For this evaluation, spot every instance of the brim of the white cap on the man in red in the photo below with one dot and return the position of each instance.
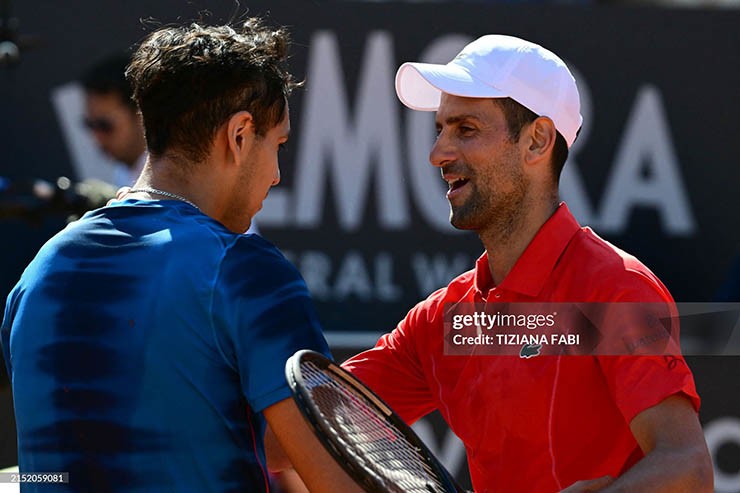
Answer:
(420, 85)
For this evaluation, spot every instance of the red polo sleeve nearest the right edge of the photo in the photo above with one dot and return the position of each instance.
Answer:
(640, 382)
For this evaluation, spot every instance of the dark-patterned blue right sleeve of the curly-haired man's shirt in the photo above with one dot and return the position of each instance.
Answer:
(263, 314)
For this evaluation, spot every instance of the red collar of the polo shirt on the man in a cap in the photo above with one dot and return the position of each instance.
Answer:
(534, 266)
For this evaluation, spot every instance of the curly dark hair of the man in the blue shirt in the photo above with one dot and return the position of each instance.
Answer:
(188, 81)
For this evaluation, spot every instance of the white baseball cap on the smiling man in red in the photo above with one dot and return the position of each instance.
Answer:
(497, 66)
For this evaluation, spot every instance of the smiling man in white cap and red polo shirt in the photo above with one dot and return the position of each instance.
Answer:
(507, 113)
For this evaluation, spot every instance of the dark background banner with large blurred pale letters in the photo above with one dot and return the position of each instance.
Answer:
(361, 212)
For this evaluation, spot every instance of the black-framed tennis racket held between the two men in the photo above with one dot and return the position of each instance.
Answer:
(371, 442)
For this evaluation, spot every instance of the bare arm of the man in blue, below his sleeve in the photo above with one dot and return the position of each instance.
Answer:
(317, 468)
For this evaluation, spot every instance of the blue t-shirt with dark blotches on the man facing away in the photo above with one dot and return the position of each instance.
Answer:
(143, 342)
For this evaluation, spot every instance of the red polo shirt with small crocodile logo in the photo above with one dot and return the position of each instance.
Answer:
(536, 424)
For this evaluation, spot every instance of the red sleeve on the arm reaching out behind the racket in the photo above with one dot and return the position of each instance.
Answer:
(393, 370)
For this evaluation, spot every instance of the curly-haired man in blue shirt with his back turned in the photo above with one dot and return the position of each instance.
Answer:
(146, 342)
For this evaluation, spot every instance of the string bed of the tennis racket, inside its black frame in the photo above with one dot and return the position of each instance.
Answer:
(365, 433)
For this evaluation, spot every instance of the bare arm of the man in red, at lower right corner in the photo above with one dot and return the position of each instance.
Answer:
(676, 455)
